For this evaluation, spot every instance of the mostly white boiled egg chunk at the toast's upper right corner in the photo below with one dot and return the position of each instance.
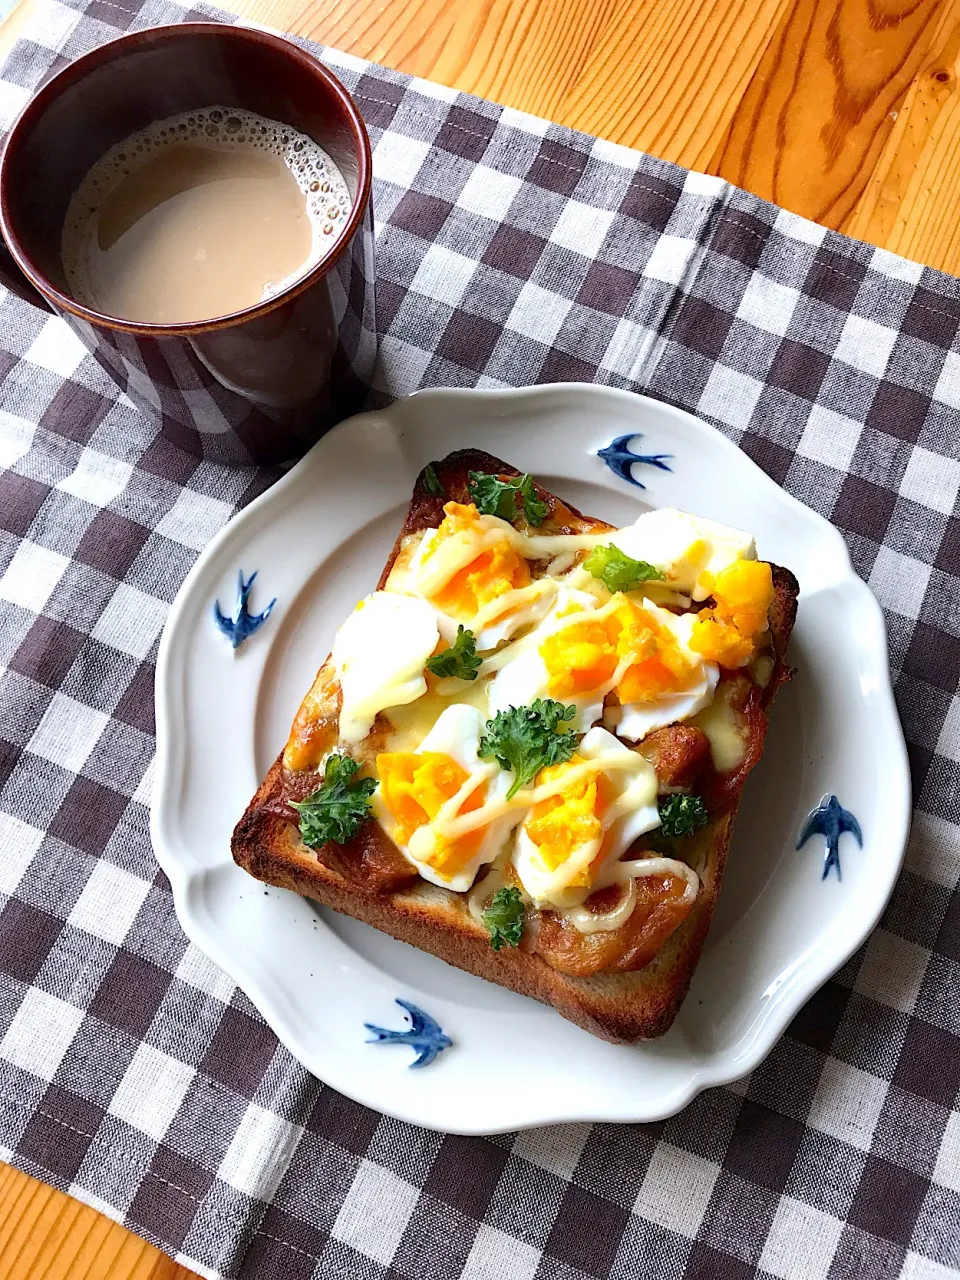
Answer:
(685, 548)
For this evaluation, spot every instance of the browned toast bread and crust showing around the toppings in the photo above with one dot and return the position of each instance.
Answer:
(616, 1007)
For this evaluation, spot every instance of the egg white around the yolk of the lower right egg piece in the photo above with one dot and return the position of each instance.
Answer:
(629, 816)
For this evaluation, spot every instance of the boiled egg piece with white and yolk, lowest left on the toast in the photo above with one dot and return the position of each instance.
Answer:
(423, 794)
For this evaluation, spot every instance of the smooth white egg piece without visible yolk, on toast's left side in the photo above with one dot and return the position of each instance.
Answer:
(380, 656)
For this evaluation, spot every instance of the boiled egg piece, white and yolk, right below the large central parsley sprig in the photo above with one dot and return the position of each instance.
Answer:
(587, 813)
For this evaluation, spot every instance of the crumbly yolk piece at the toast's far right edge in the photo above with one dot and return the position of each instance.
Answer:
(730, 632)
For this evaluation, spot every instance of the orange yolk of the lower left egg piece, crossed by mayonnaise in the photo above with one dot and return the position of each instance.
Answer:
(415, 787)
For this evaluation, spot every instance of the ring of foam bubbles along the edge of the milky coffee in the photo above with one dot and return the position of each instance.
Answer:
(328, 200)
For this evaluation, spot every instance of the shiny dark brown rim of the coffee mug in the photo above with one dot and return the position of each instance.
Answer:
(77, 70)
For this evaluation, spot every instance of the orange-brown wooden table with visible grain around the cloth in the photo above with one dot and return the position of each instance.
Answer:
(843, 111)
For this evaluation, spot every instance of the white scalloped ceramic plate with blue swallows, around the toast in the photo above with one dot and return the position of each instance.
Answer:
(318, 541)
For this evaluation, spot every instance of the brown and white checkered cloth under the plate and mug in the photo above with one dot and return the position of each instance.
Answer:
(138, 1077)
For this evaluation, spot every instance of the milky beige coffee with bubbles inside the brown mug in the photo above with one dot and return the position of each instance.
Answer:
(200, 216)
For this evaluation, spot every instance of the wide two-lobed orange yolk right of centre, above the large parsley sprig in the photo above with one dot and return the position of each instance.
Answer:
(587, 653)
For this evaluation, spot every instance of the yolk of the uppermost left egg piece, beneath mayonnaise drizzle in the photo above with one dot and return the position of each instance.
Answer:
(495, 572)
